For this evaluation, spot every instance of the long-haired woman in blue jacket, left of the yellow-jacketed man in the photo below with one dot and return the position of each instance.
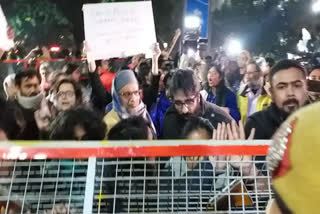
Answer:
(217, 93)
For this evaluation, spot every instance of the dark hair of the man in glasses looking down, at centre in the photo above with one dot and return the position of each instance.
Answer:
(185, 80)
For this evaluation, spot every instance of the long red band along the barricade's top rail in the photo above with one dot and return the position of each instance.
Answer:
(130, 151)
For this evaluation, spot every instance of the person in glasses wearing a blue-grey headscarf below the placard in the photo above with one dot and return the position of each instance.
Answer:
(126, 100)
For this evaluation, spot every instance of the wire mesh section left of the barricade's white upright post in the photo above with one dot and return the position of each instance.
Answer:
(36, 186)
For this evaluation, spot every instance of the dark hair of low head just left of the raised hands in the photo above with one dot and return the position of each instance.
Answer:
(196, 123)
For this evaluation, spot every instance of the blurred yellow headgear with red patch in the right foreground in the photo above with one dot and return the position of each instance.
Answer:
(293, 158)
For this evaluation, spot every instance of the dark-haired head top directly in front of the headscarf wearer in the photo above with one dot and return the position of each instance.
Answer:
(133, 128)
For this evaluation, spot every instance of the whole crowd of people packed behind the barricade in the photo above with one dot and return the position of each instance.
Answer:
(211, 97)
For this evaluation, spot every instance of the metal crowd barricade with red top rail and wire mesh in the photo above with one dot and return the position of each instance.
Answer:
(134, 177)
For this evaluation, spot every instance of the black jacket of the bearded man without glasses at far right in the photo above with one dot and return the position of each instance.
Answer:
(266, 122)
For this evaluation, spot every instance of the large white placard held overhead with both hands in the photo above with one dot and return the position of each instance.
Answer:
(119, 29)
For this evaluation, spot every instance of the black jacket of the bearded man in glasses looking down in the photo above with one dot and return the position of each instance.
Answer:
(173, 122)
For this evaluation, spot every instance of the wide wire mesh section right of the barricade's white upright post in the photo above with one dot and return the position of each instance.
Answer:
(180, 185)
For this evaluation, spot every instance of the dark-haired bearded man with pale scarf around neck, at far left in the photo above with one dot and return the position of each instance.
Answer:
(28, 99)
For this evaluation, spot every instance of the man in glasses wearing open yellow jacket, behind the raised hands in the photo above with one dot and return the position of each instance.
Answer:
(253, 97)
